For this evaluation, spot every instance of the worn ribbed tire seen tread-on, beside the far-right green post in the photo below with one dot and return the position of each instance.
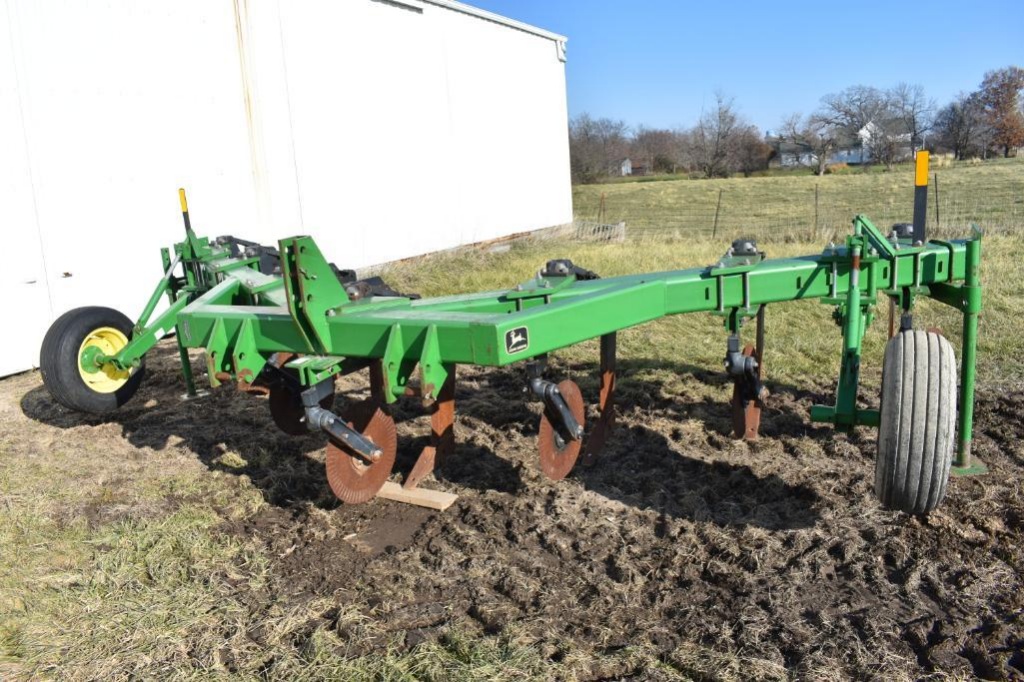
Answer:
(918, 428)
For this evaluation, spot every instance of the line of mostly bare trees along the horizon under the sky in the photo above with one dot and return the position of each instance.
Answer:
(884, 125)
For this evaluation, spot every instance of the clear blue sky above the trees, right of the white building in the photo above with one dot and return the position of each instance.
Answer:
(660, 62)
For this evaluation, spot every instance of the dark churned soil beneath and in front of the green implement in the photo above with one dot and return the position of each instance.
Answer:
(773, 557)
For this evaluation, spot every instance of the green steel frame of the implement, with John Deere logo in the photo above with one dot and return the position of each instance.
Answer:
(242, 317)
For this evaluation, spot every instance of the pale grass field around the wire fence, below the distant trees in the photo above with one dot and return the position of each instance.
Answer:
(784, 206)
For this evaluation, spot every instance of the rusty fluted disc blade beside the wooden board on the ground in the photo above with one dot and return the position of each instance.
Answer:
(352, 478)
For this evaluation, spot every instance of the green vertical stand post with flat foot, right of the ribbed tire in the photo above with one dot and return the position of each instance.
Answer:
(972, 307)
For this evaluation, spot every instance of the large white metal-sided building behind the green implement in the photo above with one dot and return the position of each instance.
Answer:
(385, 129)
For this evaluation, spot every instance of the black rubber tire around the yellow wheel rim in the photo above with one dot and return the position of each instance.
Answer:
(59, 360)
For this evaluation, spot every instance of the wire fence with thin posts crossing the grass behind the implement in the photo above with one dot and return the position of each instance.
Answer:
(803, 215)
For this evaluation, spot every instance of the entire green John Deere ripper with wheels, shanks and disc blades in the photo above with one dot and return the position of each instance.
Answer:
(286, 322)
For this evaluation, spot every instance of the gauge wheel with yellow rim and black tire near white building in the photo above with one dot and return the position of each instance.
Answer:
(80, 333)
